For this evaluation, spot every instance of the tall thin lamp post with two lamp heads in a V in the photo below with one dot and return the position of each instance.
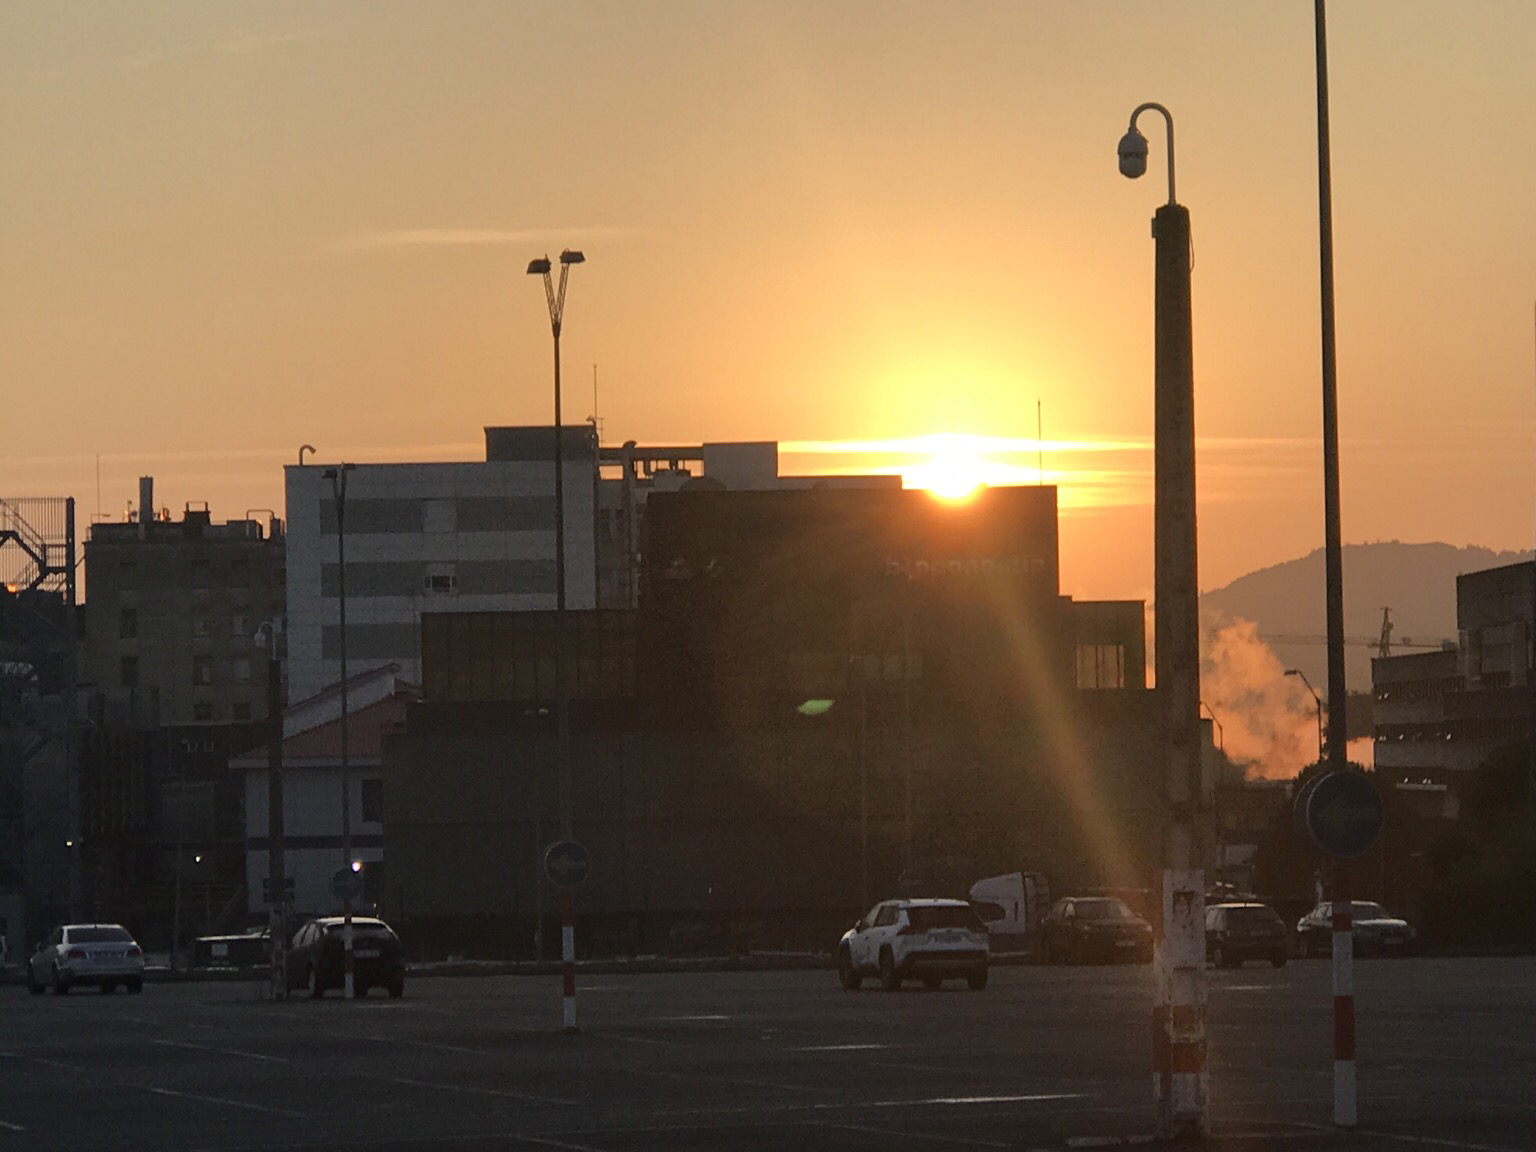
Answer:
(563, 713)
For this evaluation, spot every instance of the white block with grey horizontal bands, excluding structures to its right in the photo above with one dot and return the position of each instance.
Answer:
(454, 537)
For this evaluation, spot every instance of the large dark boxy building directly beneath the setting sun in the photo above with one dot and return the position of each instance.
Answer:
(824, 698)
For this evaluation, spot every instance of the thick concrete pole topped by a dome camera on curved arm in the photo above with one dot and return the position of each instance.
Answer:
(1179, 1013)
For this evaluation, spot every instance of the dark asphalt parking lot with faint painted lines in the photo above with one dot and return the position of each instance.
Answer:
(1047, 1058)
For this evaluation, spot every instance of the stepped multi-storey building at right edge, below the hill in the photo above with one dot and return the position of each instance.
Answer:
(1440, 715)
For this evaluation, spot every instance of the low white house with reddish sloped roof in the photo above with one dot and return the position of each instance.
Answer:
(316, 789)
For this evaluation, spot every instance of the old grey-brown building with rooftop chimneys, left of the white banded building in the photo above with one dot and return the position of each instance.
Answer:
(173, 609)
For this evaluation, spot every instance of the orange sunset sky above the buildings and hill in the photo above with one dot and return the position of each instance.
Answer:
(231, 230)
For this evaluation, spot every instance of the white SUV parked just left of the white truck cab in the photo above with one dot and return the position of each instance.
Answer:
(930, 941)
